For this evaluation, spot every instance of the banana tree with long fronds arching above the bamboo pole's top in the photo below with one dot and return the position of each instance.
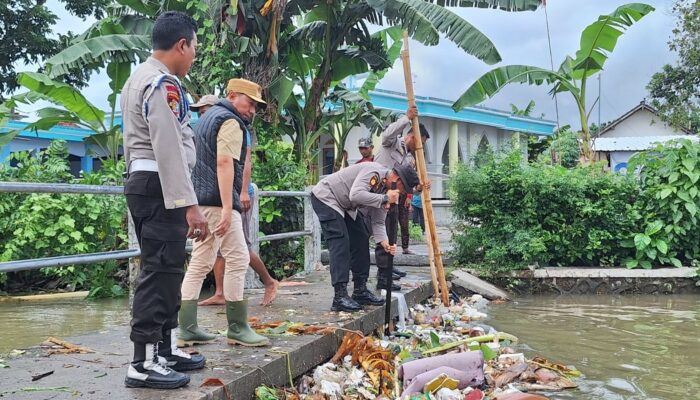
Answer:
(331, 28)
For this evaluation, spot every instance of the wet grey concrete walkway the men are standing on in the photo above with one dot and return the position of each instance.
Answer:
(101, 375)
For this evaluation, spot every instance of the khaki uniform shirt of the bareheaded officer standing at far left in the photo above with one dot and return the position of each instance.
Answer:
(155, 133)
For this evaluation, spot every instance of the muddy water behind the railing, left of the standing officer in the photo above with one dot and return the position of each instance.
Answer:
(28, 323)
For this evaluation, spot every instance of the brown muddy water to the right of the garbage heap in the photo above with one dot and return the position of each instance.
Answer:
(632, 348)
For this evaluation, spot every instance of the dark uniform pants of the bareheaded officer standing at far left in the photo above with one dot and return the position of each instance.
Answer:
(162, 234)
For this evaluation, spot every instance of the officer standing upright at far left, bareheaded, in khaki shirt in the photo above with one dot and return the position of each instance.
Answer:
(159, 151)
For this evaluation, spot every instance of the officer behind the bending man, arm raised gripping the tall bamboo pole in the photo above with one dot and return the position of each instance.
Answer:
(396, 149)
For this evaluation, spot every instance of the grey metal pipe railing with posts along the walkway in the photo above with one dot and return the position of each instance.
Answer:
(311, 232)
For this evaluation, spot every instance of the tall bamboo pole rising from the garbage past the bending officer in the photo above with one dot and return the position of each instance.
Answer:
(433, 243)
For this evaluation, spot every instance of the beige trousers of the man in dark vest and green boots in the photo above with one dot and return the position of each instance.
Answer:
(232, 247)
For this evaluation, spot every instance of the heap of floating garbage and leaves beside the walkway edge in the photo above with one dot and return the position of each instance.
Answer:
(443, 353)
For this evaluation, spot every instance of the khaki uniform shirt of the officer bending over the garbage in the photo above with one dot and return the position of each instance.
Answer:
(359, 186)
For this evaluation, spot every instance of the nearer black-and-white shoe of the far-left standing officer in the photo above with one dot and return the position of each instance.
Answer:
(150, 373)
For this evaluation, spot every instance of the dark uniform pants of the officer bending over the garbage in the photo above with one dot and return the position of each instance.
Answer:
(348, 243)
